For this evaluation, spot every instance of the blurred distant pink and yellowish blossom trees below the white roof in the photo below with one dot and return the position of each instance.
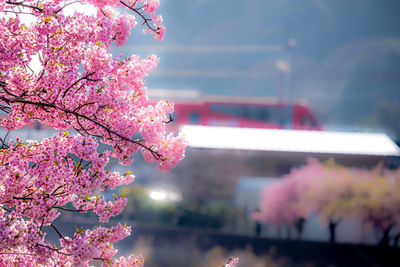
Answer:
(334, 192)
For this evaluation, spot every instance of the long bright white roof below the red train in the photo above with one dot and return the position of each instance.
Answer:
(378, 144)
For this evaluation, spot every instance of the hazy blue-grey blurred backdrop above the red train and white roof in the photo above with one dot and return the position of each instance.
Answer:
(341, 56)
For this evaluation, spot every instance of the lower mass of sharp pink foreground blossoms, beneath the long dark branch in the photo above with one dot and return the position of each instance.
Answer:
(39, 178)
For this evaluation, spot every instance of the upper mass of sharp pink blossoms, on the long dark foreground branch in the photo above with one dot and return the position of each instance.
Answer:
(107, 99)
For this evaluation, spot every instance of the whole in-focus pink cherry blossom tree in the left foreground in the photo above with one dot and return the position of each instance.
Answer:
(80, 89)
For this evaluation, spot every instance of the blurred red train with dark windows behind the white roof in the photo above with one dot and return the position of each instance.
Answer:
(246, 112)
